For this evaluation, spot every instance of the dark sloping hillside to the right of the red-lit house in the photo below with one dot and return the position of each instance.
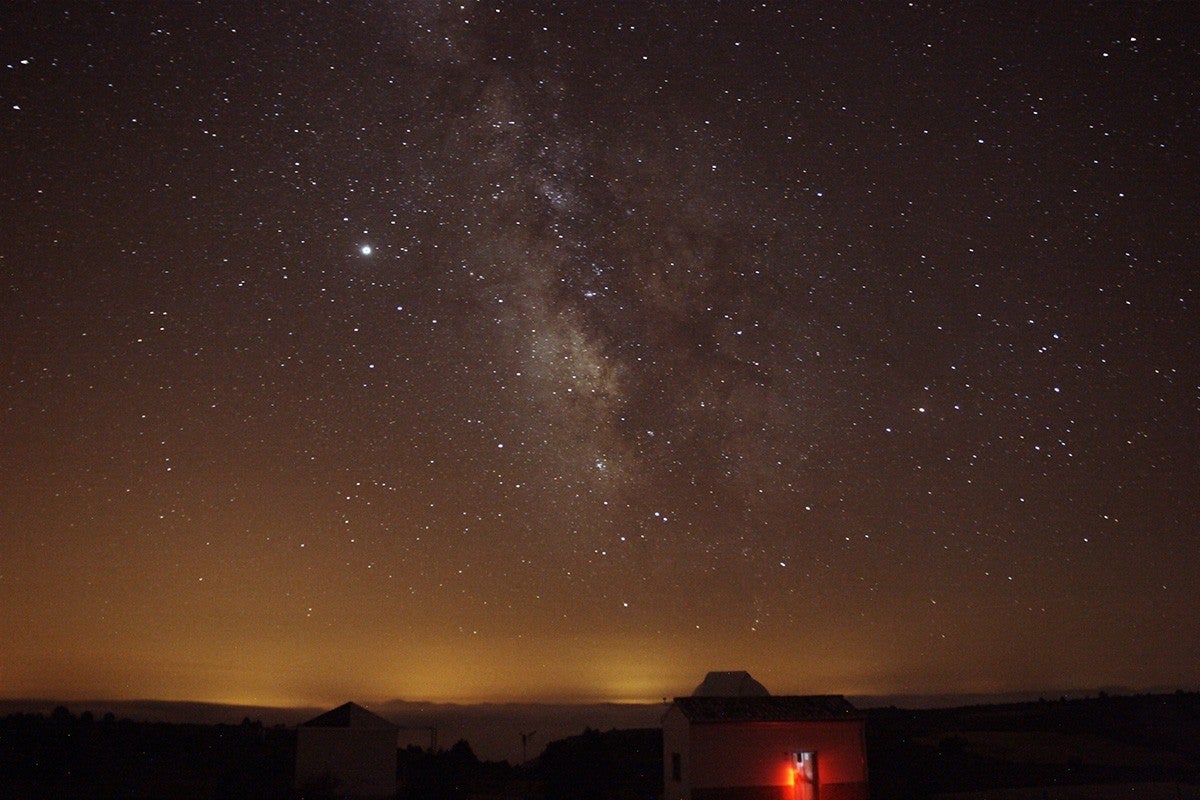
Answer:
(1103, 742)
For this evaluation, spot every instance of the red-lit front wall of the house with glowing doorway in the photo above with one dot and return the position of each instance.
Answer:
(752, 760)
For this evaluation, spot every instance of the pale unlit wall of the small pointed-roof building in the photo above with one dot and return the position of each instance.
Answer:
(362, 761)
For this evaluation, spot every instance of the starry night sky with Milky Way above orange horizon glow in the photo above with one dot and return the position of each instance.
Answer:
(568, 351)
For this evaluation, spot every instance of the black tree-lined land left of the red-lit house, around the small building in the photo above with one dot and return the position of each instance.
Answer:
(70, 757)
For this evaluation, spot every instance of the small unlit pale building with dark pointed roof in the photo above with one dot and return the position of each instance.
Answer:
(349, 751)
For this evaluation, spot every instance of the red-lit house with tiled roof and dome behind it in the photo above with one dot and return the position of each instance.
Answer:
(731, 741)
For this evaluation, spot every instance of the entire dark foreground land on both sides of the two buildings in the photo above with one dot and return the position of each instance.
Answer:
(1139, 747)
